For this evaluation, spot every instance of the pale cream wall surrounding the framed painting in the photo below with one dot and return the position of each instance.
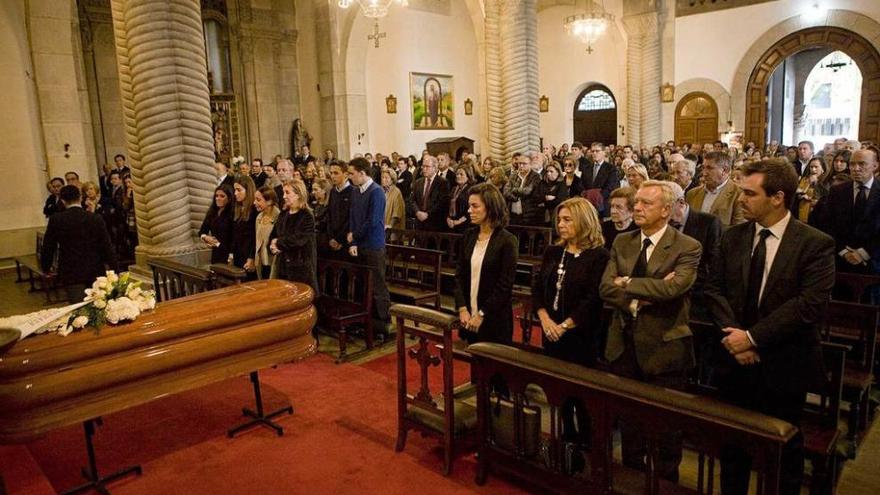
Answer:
(416, 41)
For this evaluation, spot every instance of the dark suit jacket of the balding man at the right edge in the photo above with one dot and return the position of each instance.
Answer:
(837, 219)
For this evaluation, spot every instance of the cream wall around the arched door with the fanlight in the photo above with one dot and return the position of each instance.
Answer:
(566, 69)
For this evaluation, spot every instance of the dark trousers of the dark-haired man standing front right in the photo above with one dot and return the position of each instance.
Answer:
(747, 391)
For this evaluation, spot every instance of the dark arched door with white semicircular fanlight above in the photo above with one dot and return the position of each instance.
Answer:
(595, 116)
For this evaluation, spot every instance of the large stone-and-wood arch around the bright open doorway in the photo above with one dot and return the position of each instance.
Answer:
(833, 28)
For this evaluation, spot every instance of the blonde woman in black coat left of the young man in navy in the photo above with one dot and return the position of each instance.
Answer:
(293, 238)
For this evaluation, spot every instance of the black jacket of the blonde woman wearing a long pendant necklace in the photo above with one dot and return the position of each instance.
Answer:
(579, 301)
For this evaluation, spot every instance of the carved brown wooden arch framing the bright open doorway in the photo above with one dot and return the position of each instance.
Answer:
(858, 48)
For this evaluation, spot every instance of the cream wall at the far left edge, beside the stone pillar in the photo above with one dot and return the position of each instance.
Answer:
(23, 162)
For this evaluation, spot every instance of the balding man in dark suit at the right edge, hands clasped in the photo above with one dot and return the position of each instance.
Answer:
(852, 216)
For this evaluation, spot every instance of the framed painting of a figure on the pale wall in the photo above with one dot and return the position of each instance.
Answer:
(432, 101)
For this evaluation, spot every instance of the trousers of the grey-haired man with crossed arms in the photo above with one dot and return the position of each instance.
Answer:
(634, 445)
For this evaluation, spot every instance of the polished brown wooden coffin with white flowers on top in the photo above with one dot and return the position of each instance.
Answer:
(49, 381)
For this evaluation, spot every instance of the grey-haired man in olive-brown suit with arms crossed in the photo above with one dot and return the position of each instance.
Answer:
(648, 280)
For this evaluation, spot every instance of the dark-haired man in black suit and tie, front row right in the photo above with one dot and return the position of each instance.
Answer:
(766, 291)
